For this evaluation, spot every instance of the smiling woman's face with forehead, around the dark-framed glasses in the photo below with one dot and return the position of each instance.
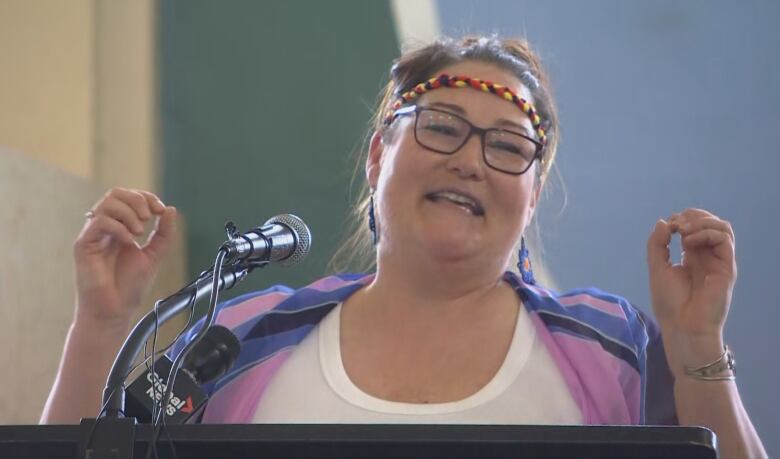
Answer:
(453, 207)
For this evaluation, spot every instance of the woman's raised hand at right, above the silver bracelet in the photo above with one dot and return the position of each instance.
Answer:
(691, 299)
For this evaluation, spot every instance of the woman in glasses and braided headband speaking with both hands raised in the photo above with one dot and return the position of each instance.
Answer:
(463, 142)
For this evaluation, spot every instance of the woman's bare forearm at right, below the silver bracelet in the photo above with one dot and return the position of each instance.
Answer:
(718, 406)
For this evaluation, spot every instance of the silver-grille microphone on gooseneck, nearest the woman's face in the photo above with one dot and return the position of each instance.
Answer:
(284, 238)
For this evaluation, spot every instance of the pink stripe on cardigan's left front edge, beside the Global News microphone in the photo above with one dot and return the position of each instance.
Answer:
(235, 403)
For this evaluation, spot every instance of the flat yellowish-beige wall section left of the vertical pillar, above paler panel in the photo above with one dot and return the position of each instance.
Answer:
(47, 97)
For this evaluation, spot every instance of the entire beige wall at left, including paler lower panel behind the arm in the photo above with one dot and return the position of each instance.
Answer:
(77, 116)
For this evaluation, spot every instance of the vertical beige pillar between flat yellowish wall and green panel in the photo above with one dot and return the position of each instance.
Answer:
(126, 94)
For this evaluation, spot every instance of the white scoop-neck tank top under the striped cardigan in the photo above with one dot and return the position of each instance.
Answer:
(313, 387)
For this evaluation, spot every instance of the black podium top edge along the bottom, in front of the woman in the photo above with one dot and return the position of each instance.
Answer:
(395, 441)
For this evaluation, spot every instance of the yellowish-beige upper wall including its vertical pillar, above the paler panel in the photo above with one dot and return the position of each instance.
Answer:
(77, 87)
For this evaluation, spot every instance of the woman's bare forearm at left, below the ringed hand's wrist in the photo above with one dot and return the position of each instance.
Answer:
(88, 354)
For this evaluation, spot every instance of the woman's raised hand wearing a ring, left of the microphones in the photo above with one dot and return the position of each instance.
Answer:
(114, 271)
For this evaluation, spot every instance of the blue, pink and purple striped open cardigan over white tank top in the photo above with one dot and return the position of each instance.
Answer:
(608, 352)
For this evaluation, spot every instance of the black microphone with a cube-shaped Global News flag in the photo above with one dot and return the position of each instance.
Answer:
(209, 359)
